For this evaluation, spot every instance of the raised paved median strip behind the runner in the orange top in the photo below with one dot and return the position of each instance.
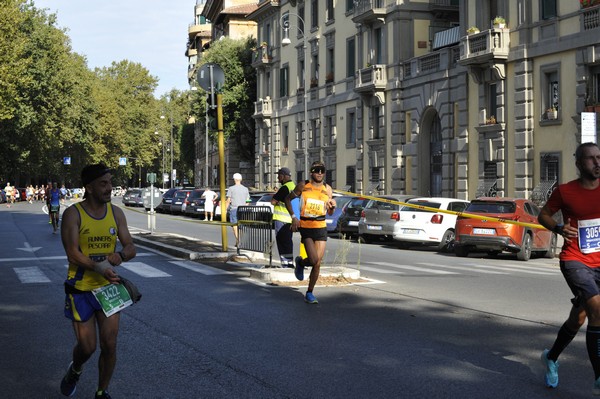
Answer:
(211, 253)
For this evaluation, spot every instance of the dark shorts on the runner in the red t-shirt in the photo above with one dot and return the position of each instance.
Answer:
(582, 280)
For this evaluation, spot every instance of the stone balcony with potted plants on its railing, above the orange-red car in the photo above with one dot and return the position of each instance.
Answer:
(487, 49)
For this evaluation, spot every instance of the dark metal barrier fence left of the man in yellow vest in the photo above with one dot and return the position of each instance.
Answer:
(255, 230)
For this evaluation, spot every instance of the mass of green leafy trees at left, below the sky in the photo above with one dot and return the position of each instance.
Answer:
(53, 106)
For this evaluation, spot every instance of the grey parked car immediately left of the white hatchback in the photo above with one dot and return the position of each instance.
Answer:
(379, 218)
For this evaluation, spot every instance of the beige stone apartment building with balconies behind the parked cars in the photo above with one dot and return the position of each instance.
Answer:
(404, 97)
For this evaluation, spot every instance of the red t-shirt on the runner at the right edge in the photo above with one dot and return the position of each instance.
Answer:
(579, 204)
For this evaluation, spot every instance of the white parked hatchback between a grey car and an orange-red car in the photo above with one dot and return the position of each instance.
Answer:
(420, 226)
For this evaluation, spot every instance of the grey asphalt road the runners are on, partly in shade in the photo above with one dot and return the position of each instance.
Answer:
(429, 325)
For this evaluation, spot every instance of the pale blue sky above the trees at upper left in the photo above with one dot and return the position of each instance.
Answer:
(150, 32)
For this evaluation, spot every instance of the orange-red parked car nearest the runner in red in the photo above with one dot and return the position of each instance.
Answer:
(493, 237)
